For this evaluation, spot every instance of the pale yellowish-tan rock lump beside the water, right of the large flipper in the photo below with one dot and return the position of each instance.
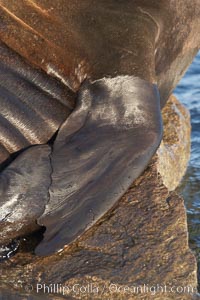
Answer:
(174, 151)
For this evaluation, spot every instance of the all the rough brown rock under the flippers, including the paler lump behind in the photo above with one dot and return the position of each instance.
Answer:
(139, 250)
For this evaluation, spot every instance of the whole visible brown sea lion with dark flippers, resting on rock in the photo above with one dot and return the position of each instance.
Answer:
(119, 60)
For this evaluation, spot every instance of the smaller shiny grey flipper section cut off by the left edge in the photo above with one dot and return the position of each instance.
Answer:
(24, 188)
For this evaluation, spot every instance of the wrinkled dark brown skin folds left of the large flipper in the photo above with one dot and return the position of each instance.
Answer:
(33, 105)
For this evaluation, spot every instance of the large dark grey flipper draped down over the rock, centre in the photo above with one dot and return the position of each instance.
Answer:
(102, 147)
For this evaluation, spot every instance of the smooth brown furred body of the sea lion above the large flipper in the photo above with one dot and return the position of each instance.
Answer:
(72, 40)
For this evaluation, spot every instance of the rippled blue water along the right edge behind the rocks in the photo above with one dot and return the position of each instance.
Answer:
(188, 92)
